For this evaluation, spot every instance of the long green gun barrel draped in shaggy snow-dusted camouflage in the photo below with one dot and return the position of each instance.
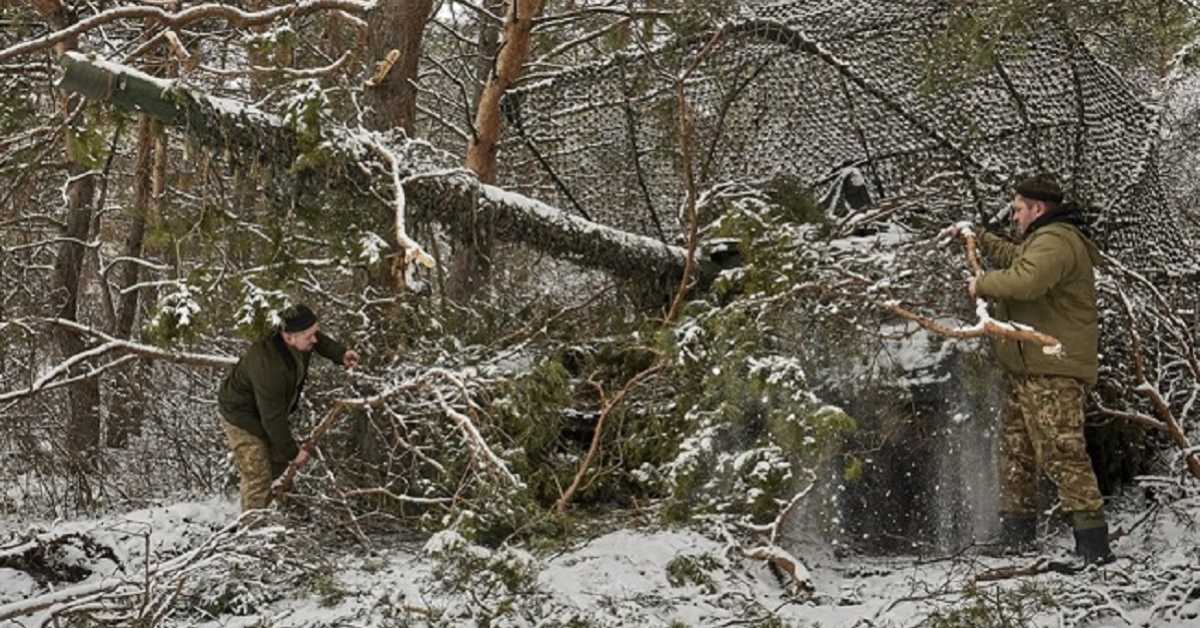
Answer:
(446, 196)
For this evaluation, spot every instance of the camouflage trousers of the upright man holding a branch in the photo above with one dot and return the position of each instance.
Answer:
(1043, 430)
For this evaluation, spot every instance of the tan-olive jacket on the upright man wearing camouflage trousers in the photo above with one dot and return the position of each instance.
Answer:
(1048, 283)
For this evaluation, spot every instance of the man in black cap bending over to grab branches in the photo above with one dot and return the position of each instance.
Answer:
(262, 391)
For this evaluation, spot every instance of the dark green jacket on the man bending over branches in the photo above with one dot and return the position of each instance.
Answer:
(265, 387)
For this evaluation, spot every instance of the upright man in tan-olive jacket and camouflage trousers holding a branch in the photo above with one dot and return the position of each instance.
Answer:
(1046, 282)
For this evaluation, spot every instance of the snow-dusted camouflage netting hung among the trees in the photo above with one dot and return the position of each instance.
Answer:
(829, 92)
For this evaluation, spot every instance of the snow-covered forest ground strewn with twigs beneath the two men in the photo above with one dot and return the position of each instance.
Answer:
(278, 576)
